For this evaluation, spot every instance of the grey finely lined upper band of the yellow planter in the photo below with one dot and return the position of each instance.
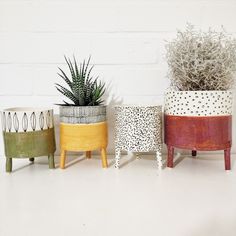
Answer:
(82, 114)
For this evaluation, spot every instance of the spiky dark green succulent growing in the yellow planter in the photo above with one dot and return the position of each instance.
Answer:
(83, 89)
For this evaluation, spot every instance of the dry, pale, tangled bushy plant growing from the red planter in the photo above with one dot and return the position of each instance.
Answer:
(201, 60)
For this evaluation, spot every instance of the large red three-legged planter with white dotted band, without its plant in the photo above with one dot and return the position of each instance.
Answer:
(198, 120)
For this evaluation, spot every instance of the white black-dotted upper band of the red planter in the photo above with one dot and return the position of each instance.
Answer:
(198, 103)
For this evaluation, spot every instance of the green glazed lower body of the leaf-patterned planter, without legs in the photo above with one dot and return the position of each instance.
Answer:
(29, 144)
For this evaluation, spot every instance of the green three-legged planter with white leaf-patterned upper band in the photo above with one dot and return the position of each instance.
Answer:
(28, 133)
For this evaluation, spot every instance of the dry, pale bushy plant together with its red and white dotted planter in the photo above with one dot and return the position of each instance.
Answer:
(198, 106)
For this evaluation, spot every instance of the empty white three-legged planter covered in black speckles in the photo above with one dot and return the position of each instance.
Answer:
(138, 129)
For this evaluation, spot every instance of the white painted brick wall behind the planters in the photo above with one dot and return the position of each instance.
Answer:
(124, 37)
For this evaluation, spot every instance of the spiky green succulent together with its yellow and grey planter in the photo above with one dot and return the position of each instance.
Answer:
(82, 120)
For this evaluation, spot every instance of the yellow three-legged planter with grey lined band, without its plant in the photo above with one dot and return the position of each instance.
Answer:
(82, 136)
